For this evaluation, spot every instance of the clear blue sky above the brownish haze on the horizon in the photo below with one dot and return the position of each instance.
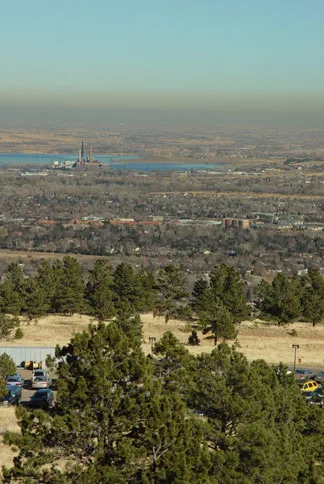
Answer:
(129, 50)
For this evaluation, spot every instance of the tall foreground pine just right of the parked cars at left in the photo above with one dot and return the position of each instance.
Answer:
(100, 390)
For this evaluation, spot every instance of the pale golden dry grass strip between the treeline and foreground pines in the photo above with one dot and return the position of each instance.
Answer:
(256, 339)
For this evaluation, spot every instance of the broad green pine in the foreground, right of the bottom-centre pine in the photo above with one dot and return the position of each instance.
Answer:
(252, 420)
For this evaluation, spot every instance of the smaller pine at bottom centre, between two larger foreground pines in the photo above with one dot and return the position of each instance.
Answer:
(173, 442)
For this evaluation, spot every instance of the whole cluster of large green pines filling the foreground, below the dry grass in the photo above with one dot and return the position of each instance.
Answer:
(123, 417)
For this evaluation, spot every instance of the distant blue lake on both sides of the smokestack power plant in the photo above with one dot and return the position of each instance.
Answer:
(115, 162)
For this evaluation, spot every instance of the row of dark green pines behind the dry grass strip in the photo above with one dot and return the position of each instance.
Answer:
(218, 301)
